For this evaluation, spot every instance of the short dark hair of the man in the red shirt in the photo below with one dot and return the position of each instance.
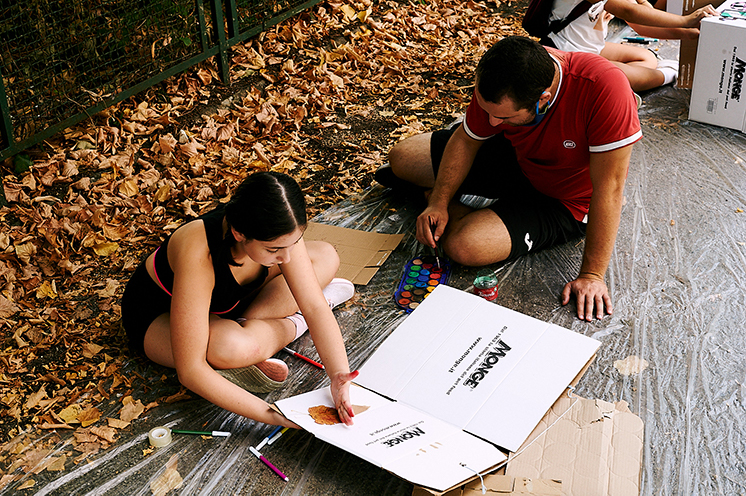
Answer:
(516, 67)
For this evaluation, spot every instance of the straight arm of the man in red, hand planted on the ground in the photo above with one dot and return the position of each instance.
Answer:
(608, 172)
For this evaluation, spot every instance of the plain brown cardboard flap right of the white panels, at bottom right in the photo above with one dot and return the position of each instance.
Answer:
(592, 446)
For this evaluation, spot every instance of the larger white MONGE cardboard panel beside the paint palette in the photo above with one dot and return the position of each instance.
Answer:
(487, 369)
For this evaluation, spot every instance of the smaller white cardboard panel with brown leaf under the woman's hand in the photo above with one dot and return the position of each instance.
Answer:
(411, 444)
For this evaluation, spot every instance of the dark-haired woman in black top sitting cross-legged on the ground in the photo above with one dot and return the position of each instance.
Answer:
(226, 291)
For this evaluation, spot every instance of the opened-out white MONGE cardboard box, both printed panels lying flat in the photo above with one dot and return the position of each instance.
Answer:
(457, 378)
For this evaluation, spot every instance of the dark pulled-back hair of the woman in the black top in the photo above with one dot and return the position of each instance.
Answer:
(265, 206)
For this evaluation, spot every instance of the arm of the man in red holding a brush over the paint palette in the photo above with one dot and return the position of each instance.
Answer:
(458, 157)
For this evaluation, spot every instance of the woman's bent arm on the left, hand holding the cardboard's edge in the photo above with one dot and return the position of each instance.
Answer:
(194, 279)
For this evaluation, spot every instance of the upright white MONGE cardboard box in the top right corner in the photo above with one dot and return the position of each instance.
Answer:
(718, 93)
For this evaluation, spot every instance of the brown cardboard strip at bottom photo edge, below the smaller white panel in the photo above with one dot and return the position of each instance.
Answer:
(503, 485)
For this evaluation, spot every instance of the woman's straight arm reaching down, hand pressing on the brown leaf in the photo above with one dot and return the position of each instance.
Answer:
(322, 325)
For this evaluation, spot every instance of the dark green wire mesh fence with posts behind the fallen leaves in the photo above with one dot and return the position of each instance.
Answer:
(64, 59)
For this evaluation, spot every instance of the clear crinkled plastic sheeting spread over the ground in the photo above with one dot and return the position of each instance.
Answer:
(678, 283)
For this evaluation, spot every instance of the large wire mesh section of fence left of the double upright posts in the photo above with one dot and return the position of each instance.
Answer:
(60, 57)
